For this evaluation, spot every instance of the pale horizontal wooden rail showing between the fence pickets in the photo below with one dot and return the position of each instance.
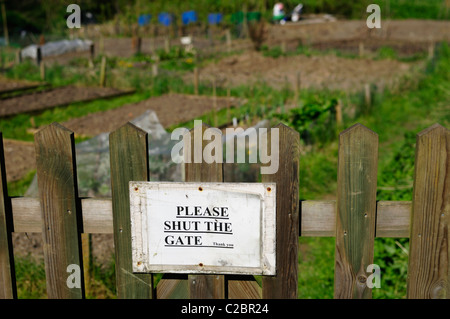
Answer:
(318, 218)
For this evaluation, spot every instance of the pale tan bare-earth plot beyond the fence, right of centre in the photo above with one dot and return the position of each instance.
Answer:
(319, 72)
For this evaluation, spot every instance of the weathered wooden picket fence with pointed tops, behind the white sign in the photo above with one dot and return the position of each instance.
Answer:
(355, 218)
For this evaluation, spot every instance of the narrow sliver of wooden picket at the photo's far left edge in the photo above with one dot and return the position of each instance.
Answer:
(7, 274)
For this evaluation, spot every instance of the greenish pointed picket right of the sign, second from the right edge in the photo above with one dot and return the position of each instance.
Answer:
(356, 209)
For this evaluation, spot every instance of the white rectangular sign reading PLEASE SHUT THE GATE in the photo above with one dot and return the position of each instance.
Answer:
(220, 228)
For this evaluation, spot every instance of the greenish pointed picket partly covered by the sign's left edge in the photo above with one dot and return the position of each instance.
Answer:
(129, 162)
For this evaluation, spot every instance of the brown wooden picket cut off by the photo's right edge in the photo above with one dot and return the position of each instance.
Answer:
(429, 257)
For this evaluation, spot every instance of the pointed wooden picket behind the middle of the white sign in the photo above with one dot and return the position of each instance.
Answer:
(204, 286)
